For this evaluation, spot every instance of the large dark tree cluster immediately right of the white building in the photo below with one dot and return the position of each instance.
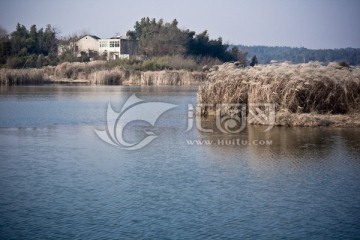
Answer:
(157, 38)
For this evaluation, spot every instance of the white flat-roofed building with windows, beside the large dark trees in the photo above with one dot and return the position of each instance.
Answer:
(117, 47)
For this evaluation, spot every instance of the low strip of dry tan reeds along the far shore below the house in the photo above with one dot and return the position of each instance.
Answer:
(101, 72)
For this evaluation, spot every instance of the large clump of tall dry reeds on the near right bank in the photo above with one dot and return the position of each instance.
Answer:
(309, 94)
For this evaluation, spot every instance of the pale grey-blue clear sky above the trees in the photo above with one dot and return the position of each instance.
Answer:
(314, 24)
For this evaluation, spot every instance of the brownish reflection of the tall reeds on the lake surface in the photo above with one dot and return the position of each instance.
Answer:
(296, 147)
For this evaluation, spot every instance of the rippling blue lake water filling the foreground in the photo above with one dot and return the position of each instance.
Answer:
(59, 180)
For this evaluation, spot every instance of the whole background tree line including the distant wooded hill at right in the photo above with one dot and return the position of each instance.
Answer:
(30, 48)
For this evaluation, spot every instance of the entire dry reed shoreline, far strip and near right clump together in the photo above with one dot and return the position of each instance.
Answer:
(229, 84)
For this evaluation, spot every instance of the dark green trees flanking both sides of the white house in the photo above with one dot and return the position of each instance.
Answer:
(29, 48)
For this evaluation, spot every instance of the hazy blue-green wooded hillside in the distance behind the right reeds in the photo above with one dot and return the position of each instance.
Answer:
(265, 54)
